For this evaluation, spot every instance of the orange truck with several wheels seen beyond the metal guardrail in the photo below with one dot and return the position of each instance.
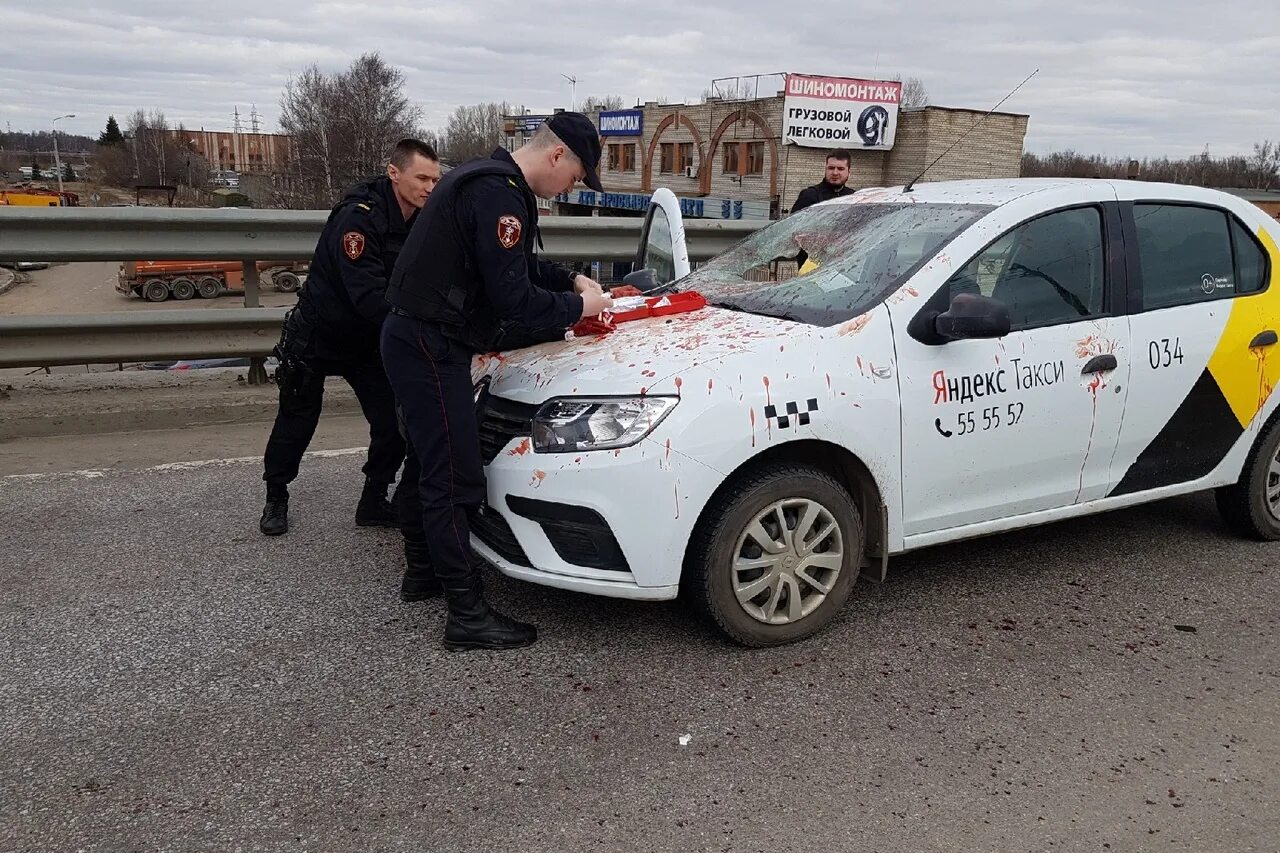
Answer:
(159, 281)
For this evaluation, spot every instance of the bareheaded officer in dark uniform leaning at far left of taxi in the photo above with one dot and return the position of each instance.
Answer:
(335, 332)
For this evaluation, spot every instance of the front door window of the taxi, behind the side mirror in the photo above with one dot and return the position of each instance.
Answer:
(1046, 271)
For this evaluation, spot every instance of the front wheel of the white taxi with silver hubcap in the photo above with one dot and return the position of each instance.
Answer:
(728, 563)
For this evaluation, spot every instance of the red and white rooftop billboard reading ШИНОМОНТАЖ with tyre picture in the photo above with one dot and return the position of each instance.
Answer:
(840, 112)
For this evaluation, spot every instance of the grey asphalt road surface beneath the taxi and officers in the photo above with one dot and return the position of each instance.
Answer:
(172, 681)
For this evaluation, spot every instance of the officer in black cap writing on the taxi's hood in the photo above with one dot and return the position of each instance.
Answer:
(469, 267)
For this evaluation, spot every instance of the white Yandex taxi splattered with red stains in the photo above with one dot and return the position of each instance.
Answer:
(954, 361)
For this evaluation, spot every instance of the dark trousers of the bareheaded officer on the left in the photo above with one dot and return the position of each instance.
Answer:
(301, 399)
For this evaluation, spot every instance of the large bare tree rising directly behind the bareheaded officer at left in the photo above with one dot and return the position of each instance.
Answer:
(344, 126)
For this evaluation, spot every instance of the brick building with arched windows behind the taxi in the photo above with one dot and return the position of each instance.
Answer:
(726, 158)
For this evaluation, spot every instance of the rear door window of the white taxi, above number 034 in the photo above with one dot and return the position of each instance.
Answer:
(1186, 256)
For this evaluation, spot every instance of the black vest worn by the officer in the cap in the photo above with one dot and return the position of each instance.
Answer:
(437, 277)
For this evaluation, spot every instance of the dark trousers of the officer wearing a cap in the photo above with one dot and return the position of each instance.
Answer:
(432, 378)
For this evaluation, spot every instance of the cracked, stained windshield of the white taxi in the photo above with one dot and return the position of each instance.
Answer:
(854, 257)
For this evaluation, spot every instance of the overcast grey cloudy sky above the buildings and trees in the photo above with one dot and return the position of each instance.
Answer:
(1112, 80)
